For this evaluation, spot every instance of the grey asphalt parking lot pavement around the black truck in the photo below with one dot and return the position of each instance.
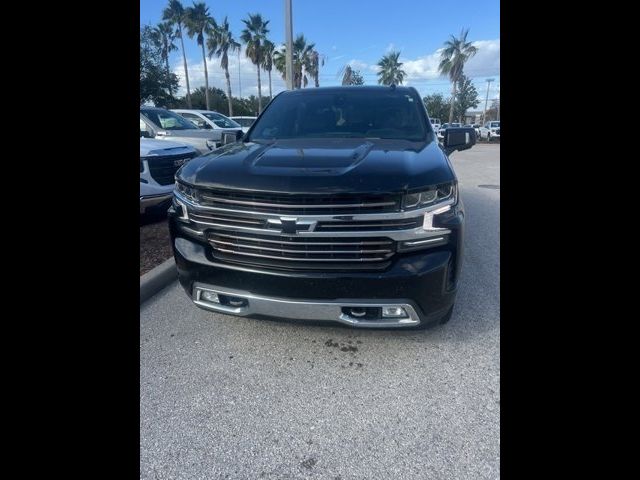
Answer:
(231, 398)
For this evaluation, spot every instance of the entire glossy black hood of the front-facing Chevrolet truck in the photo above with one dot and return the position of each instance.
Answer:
(321, 166)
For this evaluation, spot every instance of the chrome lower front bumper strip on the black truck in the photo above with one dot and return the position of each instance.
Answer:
(332, 311)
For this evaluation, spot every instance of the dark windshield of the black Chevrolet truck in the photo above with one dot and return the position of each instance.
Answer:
(347, 114)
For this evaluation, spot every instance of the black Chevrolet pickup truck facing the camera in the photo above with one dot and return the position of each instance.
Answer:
(339, 204)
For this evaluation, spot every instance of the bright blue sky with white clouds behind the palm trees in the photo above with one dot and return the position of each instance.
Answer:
(354, 32)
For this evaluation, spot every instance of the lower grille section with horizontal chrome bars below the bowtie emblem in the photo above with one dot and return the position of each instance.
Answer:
(300, 250)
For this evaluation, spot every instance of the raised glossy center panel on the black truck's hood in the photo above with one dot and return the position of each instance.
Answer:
(288, 160)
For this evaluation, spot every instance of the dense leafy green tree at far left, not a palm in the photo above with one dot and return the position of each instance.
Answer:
(156, 82)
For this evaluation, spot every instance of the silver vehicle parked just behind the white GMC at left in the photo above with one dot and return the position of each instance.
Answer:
(163, 124)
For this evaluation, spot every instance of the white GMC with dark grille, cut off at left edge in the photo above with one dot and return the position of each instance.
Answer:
(159, 161)
